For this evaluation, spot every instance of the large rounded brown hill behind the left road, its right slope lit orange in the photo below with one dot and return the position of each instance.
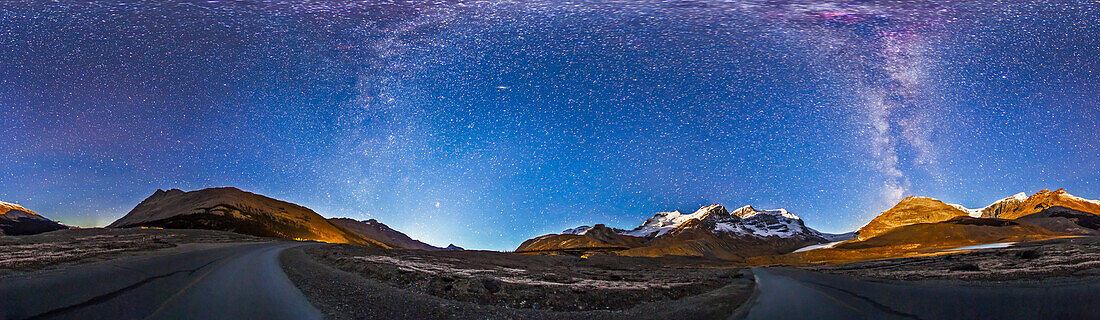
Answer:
(232, 209)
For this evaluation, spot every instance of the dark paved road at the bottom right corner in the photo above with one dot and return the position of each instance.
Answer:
(793, 294)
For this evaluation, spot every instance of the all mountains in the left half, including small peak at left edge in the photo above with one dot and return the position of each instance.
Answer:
(230, 209)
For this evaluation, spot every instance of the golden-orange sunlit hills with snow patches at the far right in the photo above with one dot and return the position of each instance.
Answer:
(920, 226)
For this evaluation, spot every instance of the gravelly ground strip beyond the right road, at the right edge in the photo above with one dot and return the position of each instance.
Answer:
(1071, 259)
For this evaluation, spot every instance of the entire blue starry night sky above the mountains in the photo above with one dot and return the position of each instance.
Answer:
(485, 124)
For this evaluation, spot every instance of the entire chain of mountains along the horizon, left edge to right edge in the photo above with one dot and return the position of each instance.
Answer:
(917, 226)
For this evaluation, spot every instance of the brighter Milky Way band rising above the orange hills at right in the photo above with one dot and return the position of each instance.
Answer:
(885, 52)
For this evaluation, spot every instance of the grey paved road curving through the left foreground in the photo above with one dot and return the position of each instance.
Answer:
(240, 282)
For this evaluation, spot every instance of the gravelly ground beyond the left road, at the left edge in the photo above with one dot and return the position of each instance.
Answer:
(51, 250)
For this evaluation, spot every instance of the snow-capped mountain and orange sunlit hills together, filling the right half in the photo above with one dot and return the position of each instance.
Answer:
(915, 226)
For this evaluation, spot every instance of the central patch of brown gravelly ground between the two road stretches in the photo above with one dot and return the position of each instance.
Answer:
(350, 282)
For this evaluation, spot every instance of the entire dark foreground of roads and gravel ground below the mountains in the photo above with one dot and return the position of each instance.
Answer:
(133, 272)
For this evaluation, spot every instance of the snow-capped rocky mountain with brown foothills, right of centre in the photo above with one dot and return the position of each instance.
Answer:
(710, 233)
